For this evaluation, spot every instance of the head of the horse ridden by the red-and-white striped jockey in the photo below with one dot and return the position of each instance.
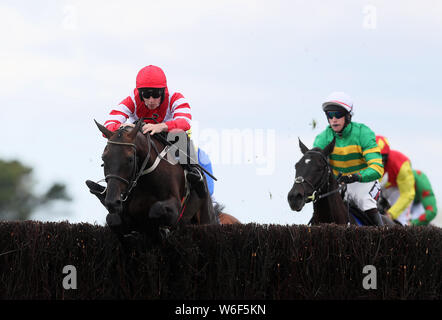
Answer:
(120, 164)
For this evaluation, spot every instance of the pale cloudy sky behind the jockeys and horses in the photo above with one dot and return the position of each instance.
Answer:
(255, 73)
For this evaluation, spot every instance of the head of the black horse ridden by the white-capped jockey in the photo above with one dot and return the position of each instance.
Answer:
(311, 175)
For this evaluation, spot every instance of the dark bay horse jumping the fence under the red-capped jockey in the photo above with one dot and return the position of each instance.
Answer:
(146, 191)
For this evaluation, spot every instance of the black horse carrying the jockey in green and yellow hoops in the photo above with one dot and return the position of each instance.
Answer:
(315, 182)
